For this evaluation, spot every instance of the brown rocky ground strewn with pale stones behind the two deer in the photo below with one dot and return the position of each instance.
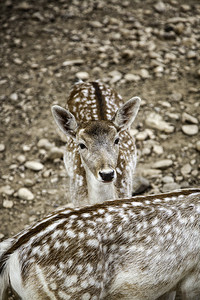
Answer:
(144, 48)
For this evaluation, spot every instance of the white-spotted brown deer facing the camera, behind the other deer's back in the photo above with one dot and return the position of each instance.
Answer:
(100, 156)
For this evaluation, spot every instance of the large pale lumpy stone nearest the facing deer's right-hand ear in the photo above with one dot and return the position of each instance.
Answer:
(155, 121)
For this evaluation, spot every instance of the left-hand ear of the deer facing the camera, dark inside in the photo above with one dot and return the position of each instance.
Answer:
(65, 120)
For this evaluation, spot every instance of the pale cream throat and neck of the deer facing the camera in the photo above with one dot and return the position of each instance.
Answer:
(99, 192)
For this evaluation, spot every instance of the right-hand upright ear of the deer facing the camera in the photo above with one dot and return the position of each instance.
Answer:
(126, 114)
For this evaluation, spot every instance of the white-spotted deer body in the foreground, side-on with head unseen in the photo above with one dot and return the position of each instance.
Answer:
(140, 248)
